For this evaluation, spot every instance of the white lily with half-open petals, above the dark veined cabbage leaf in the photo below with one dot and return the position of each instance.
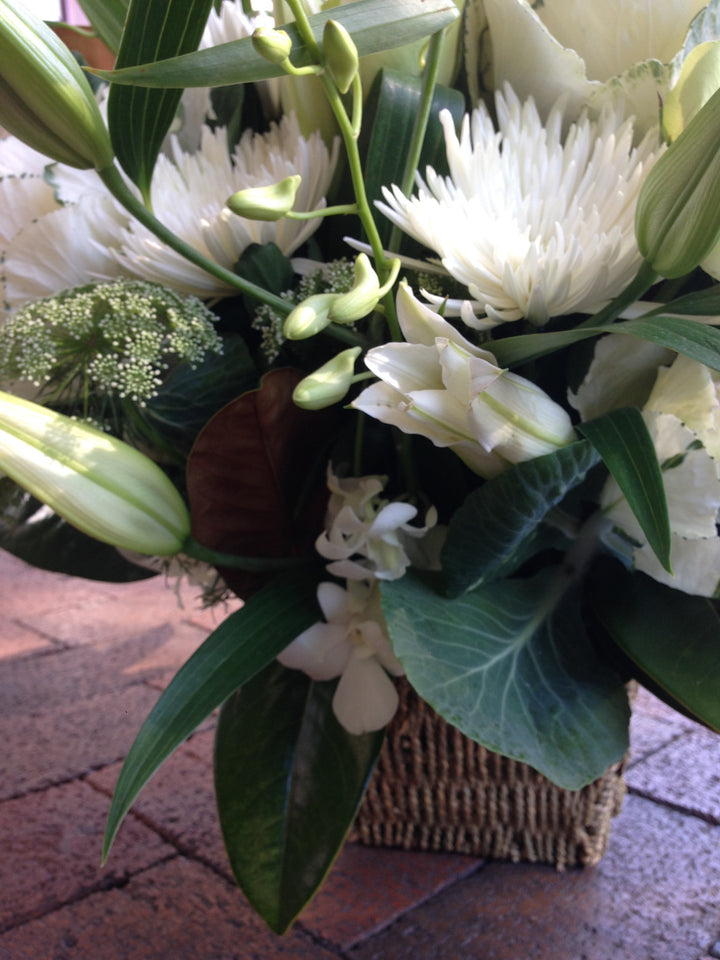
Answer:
(441, 386)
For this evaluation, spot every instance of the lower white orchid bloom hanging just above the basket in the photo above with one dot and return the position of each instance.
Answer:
(352, 644)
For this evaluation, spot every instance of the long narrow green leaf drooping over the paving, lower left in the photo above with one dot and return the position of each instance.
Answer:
(243, 645)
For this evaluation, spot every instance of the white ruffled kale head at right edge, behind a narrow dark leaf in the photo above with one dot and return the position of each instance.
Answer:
(681, 408)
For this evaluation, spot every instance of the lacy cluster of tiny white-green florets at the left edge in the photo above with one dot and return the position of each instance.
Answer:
(119, 337)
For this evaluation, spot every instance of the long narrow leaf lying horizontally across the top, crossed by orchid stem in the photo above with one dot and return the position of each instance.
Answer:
(374, 25)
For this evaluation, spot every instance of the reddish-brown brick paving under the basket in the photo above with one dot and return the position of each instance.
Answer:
(81, 664)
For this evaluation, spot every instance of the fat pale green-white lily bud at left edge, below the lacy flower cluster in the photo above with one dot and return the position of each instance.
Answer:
(101, 485)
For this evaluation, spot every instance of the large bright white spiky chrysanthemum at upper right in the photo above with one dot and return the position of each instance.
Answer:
(535, 226)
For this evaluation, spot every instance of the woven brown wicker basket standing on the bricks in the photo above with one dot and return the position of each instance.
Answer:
(433, 789)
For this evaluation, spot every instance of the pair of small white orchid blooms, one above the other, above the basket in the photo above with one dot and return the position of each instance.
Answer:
(366, 540)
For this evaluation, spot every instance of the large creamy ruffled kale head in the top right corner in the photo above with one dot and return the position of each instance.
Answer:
(592, 52)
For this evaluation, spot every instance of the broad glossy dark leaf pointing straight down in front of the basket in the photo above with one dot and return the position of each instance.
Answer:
(288, 780)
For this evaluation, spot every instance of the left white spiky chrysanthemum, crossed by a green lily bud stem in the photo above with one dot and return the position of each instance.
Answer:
(189, 193)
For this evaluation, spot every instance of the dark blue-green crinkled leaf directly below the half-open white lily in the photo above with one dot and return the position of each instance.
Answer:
(493, 526)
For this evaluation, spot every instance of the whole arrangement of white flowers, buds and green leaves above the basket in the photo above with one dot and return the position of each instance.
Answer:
(398, 320)
